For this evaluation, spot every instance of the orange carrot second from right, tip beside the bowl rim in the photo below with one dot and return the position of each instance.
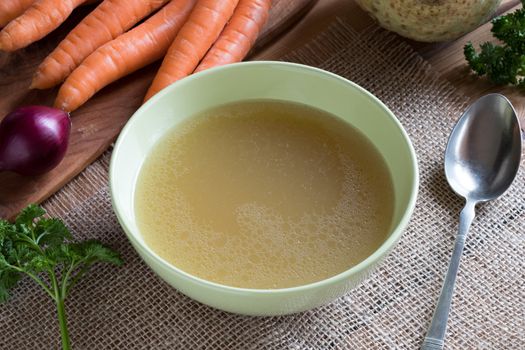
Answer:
(193, 41)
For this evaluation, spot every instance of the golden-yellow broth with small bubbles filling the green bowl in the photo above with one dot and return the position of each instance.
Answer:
(264, 194)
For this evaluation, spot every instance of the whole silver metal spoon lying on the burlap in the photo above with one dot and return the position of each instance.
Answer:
(481, 160)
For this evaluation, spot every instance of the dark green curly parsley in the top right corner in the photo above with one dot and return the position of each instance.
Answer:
(502, 64)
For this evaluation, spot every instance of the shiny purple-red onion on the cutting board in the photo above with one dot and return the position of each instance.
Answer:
(33, 139)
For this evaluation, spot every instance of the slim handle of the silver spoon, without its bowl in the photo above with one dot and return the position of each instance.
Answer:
(436, 332)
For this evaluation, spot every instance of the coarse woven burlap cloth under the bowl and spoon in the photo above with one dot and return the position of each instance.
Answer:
(131, 308)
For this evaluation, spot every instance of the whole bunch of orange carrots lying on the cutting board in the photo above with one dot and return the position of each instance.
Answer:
(102, 48)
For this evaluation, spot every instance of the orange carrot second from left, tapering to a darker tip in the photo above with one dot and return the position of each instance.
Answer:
(106, 22)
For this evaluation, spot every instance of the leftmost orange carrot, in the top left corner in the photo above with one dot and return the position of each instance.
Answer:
(37, 21)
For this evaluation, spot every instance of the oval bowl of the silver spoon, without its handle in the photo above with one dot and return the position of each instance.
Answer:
(484, 149)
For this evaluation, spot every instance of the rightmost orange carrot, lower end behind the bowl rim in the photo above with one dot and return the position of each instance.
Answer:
(240, 34)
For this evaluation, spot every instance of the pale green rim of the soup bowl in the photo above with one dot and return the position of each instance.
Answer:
(384, 248)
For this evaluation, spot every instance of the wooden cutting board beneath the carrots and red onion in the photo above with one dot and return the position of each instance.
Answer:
(96, 124)
